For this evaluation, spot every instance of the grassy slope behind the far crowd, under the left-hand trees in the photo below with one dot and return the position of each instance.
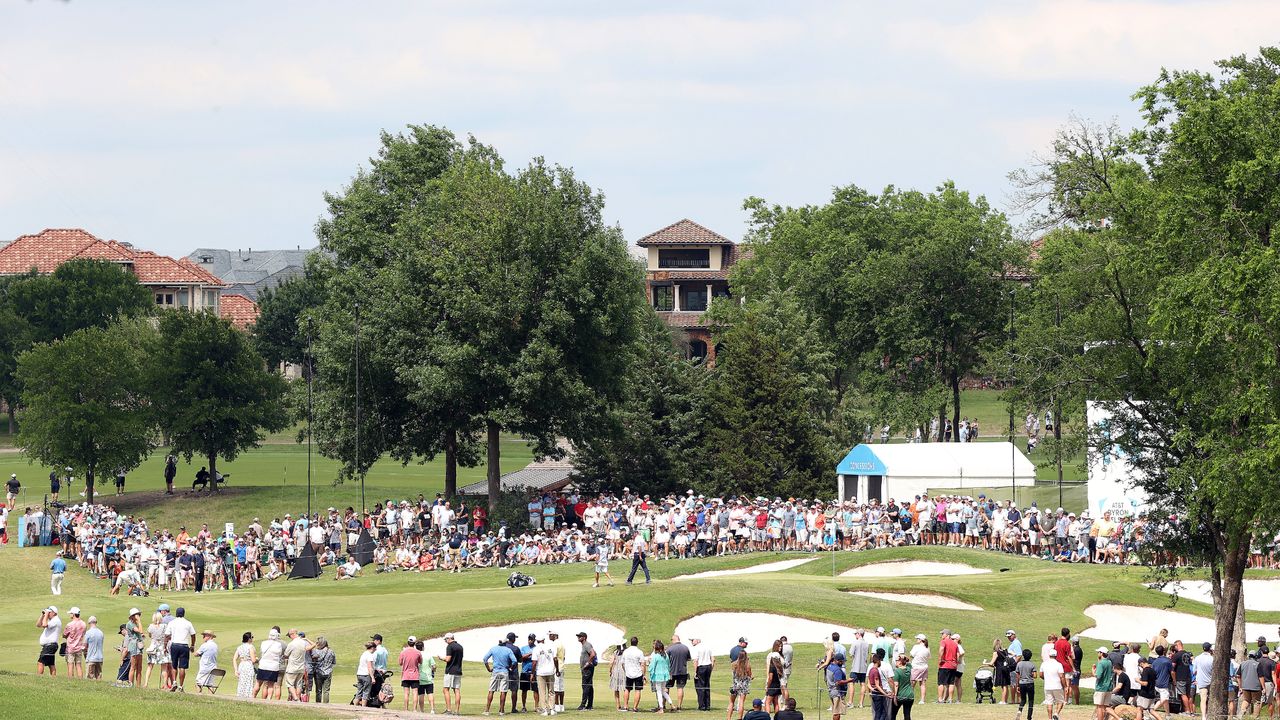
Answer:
(266, 482)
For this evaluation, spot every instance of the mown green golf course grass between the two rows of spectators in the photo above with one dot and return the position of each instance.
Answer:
(1035, 598)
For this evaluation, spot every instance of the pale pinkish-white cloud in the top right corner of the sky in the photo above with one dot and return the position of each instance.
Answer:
(1094, 40)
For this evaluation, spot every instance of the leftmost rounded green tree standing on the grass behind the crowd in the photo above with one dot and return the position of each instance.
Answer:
(85, 400)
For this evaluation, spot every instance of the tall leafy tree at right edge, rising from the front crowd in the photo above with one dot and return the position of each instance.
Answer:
(1169, 256)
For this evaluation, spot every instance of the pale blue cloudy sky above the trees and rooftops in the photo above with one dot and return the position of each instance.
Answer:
(176, 126)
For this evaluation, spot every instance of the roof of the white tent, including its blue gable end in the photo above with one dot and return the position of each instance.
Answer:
(936, 461)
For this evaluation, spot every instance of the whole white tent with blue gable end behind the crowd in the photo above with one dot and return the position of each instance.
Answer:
(903, 471)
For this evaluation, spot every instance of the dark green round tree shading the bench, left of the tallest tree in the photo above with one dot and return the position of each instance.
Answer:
(212, 391)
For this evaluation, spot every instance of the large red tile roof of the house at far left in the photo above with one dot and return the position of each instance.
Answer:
(49, 249)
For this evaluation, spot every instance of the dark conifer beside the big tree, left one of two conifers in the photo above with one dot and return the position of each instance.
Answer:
(653, 438)
